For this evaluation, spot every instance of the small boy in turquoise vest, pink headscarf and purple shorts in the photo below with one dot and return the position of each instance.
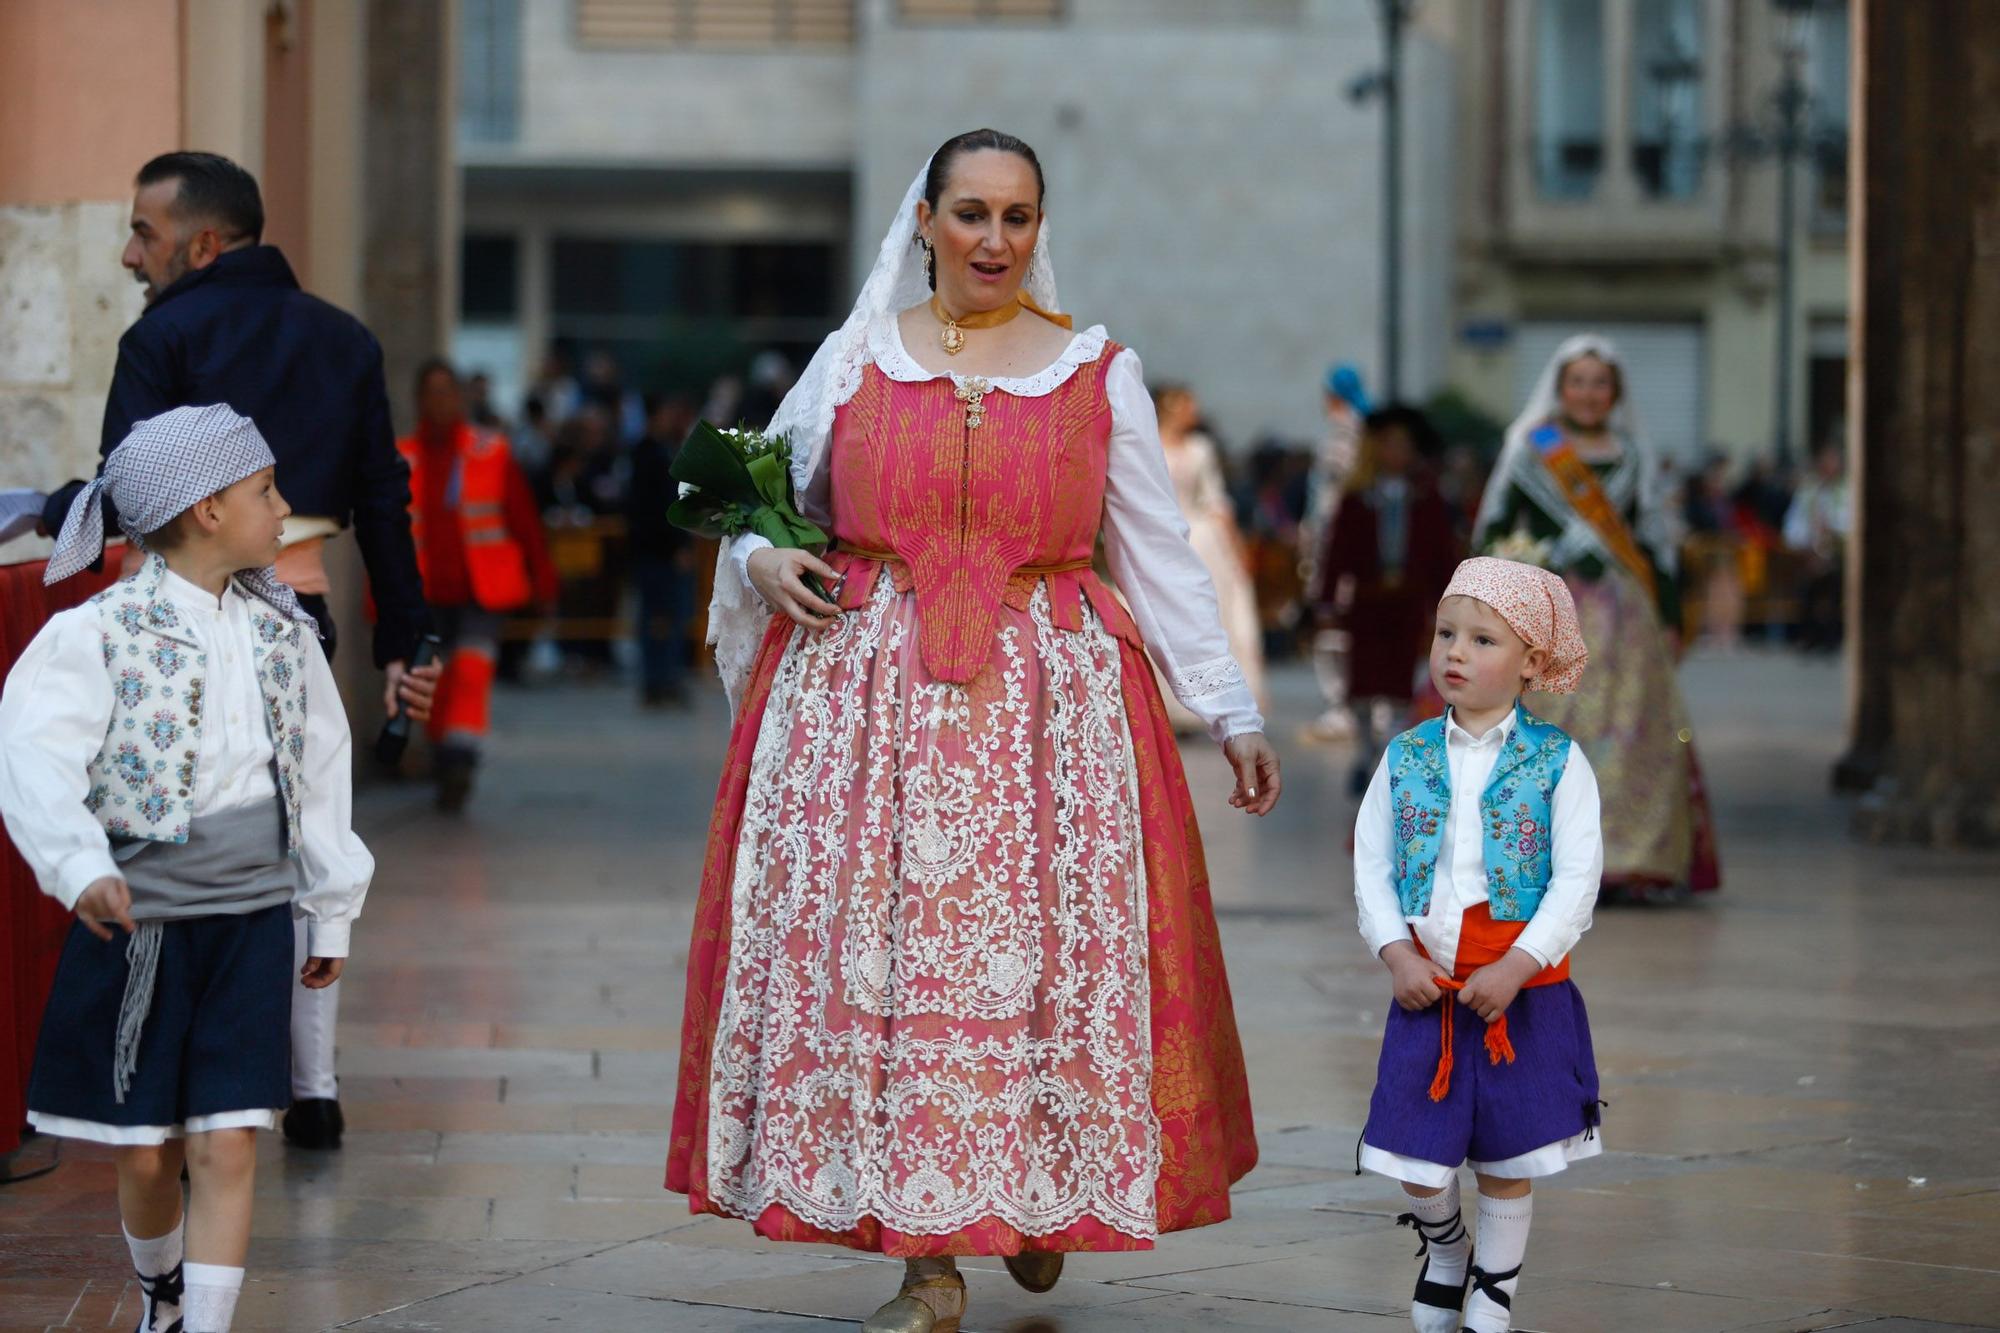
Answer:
(1477, 862)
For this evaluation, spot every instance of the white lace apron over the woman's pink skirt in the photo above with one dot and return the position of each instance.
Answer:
(937, 1004)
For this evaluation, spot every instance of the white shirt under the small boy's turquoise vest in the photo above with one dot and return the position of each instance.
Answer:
(1577, 856)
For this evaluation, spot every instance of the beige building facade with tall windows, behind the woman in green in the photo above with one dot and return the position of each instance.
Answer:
(1617, 175)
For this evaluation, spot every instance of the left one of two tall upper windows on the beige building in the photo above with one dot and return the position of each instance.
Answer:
(1569, 97)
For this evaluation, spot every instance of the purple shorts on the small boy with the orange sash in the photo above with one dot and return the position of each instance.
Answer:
(1493, 1112)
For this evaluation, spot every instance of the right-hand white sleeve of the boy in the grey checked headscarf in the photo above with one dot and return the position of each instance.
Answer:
(335, 862)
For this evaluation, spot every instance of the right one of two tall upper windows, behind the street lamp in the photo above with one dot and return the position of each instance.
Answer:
(1667, 97)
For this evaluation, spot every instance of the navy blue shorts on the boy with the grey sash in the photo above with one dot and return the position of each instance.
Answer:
(219, 1036)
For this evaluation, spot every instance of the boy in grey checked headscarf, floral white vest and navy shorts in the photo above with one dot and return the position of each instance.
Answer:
(175, 770)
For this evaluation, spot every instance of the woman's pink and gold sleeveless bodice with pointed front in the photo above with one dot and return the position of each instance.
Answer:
(977, 495)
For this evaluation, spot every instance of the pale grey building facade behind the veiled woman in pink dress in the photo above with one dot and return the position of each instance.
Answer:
(683, 185)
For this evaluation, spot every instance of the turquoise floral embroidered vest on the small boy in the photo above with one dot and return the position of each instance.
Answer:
(1515, 812)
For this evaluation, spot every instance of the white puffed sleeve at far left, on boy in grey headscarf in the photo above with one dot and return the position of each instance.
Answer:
(53, 722)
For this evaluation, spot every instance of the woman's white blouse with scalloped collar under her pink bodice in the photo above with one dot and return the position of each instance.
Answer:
(1163, 579)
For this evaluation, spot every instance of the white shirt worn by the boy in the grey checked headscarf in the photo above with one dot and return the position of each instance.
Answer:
(55, 714)
